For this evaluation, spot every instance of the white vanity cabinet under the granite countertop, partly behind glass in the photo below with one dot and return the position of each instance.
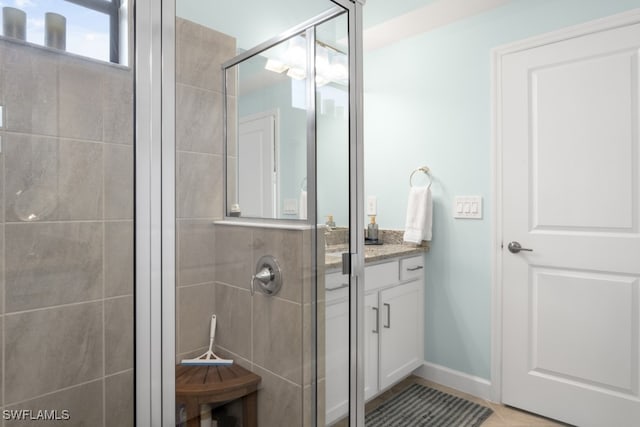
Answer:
(393, 329)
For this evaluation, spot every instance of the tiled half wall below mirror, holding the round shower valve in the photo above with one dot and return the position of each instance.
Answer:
(271, 335)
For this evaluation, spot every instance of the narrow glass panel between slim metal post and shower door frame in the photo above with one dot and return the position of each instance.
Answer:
(332, 159)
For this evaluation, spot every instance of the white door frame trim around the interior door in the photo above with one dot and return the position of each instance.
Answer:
(610, 22)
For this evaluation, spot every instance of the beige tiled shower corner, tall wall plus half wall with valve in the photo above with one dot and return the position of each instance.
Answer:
(269, 335)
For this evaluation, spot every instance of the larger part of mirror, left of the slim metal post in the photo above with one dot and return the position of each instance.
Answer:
(267, 132)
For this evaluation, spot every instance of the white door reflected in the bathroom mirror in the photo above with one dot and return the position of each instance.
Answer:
(257, 173)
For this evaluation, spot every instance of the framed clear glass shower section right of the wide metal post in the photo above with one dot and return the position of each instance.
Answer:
(266, 149)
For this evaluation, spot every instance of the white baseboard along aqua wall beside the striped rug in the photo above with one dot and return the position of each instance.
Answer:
(457, 380)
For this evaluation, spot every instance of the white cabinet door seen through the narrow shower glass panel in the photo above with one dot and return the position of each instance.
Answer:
(337, 362)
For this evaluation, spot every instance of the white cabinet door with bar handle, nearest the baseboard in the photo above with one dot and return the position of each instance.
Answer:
(401, 332)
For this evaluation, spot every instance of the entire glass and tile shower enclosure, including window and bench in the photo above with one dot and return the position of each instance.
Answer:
(146, 169)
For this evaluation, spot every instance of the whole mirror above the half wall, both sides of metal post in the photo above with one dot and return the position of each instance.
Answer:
(268, 109)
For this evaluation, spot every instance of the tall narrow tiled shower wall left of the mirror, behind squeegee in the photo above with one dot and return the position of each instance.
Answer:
(199, 53)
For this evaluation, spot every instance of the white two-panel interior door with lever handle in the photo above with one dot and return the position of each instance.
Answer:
(568, 126)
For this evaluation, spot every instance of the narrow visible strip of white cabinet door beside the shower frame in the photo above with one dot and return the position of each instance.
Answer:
(371, 339)
